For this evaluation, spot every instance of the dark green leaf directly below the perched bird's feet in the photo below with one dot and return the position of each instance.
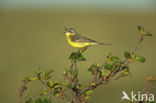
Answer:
(77, 56)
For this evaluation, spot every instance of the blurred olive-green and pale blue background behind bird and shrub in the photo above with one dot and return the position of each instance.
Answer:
(31, 37)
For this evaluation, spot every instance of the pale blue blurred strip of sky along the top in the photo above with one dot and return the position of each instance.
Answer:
(113, 4)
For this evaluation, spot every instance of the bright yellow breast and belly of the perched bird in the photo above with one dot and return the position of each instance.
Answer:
(78, 44)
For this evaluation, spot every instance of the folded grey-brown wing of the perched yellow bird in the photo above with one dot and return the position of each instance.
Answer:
(82, 39)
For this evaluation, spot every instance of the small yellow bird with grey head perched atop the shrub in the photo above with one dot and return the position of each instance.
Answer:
(78, 41)
